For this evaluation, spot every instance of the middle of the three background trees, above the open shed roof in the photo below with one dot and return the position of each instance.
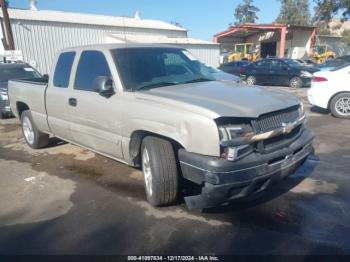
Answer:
(294, 12)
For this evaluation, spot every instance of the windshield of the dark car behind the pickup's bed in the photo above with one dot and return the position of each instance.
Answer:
(25, 72)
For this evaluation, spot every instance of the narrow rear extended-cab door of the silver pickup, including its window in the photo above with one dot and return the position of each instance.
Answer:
(57, 95)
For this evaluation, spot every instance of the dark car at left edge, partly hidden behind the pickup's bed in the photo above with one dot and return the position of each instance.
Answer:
(9, 72)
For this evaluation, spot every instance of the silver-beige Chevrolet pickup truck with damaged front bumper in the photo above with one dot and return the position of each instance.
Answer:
(156, 107)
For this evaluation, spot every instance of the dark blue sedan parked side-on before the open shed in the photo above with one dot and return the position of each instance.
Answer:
(278, 71)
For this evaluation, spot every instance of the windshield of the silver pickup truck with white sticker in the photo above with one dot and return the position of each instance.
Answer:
(149, 67)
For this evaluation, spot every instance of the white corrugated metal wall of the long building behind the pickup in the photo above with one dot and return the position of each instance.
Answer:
(40, 41)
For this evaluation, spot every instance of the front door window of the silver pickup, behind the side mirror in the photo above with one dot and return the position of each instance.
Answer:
(92, 64)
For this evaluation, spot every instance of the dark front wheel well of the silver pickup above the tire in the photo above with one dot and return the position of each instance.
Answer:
(136, 142)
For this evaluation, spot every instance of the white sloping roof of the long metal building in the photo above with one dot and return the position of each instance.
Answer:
(89, 19)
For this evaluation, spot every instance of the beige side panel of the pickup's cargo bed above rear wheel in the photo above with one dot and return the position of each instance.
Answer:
(31, 94)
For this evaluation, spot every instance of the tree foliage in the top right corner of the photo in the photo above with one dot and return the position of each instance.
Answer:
(327, 9)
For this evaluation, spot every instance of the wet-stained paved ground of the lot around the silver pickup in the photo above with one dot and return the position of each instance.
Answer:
(67, 200)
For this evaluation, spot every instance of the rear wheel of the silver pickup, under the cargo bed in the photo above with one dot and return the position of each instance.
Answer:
(34, 138)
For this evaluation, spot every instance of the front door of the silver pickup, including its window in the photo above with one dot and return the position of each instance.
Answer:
(94, 118)
